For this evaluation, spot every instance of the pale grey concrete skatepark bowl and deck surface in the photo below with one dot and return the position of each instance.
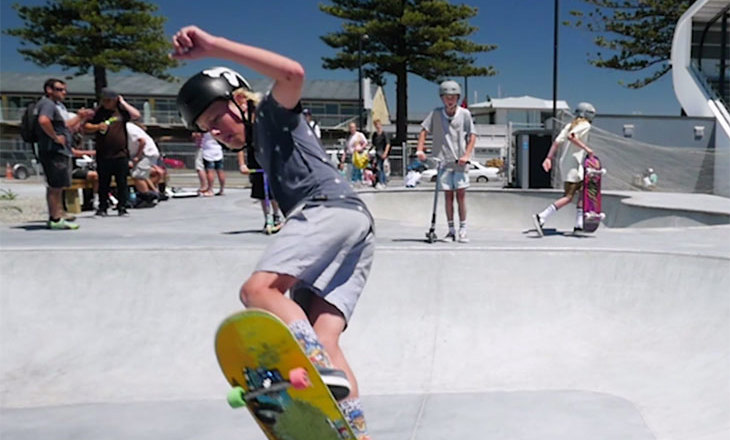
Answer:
(107, 332)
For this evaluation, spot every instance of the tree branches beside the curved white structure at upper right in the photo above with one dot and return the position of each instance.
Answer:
(637, 33)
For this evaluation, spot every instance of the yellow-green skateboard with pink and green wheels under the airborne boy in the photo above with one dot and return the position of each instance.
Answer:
(271, 375)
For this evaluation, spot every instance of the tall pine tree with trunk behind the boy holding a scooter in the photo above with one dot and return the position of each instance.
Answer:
(425, 38)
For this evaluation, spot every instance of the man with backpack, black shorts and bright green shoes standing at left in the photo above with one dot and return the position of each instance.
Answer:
(53, 135)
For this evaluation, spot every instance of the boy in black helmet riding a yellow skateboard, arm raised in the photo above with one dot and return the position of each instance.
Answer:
(323, 254)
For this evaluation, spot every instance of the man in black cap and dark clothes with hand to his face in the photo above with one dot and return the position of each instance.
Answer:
(112, 156)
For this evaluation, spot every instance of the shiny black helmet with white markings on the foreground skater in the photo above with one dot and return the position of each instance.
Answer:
(201, 89)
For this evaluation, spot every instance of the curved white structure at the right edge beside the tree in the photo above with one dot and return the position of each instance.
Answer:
(692, 90)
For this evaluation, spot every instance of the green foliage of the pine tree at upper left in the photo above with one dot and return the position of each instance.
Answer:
(94, 34)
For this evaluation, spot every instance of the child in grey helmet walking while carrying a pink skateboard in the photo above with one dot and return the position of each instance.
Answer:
(573, 138)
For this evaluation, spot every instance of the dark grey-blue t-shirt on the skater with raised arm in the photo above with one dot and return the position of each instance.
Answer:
(297, 166)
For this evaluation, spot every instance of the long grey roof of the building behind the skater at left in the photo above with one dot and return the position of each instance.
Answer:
(137, 84)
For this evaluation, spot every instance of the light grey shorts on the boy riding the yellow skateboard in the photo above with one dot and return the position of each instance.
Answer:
(329, 250)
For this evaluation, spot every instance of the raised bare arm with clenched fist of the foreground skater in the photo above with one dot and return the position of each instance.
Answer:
(192, 42)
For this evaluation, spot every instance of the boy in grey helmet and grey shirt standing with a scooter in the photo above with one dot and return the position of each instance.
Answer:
(454, 137)
